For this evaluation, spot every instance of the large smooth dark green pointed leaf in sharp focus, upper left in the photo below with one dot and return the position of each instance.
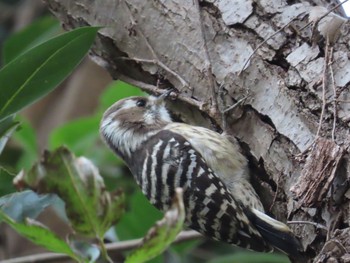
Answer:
(38, 71)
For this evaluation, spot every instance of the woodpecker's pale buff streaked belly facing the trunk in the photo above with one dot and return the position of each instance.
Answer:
(223, 156)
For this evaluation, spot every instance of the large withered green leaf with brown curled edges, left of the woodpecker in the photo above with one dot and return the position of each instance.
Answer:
(90, 208)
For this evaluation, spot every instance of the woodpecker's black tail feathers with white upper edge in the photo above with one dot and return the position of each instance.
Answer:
(276, 233)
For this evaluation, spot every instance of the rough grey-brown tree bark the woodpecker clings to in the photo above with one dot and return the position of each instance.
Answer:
(294, 119)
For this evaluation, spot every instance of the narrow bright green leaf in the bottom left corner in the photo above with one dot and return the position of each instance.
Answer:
(40, 235)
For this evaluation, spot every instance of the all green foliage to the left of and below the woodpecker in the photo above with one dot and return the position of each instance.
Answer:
(81, 189)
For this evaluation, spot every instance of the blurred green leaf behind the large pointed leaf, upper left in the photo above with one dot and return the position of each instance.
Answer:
(34, 34)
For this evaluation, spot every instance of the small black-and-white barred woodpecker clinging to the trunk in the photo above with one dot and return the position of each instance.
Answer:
(162, 155)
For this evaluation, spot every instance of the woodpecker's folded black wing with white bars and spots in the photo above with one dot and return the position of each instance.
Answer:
(170, 161)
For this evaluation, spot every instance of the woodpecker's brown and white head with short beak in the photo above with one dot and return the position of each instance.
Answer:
(129, 122)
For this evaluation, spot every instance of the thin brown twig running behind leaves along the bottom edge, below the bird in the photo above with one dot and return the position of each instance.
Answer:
(115, 247)
